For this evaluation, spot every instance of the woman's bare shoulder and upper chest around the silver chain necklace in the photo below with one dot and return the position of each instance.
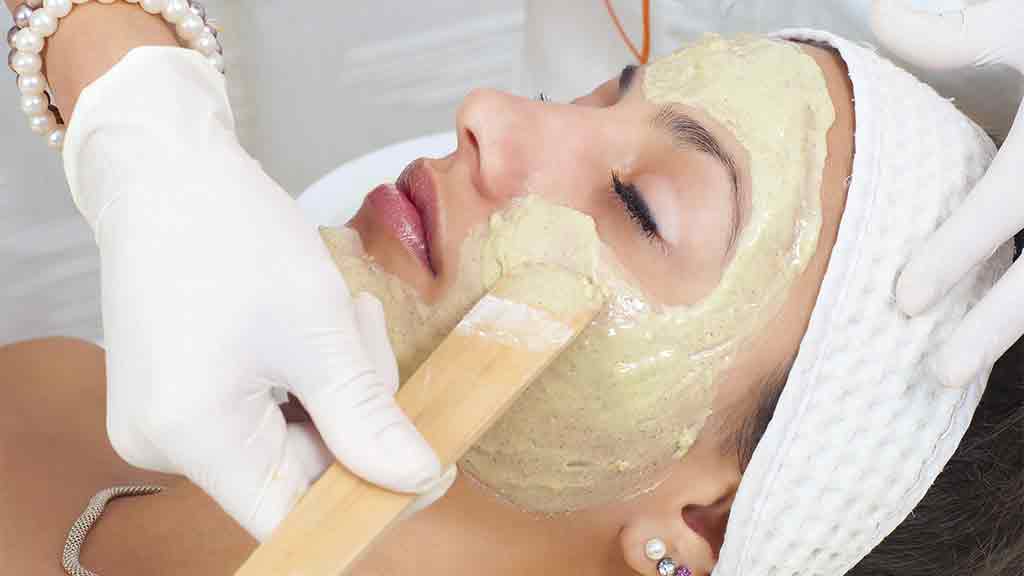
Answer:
(53, 420)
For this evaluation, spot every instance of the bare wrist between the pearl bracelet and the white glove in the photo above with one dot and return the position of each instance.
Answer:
(92, 39)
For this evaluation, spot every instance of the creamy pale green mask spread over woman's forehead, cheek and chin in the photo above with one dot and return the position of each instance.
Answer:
(609, 418)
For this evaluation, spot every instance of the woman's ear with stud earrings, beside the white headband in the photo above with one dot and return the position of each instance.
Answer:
(689, 512)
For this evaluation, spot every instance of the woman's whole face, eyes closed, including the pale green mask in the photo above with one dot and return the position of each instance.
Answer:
(673, 195)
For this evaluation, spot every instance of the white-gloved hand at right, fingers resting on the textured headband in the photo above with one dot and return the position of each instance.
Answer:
(982, 35)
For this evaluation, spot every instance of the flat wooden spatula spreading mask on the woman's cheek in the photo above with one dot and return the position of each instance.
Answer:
(482, 367)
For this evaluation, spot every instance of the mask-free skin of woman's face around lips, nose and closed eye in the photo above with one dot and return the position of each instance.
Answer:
(659, 202)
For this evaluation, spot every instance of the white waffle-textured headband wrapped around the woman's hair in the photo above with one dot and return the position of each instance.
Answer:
(863, 429)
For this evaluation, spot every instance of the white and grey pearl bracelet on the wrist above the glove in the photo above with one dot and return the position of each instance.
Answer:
(35, 21)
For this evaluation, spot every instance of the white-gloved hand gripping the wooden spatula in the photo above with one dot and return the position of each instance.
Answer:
(215, 292)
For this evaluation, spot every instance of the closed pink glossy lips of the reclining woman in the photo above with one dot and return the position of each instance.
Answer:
(409, 210)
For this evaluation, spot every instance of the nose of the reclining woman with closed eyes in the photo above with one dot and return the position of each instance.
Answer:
(495, 133)
